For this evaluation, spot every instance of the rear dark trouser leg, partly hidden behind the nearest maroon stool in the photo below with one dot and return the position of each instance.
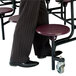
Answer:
(41, 43)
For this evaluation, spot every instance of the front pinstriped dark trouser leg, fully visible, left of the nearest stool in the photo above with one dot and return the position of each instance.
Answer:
(24, 32)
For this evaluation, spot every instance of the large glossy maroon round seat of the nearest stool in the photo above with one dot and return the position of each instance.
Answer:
(52, 29)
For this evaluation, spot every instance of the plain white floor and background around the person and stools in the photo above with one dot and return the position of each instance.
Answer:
(44, 67)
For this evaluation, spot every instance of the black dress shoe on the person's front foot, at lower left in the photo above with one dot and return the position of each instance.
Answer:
(27, 64)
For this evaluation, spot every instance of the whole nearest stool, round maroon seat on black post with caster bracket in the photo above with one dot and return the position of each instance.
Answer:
(52, 31)
